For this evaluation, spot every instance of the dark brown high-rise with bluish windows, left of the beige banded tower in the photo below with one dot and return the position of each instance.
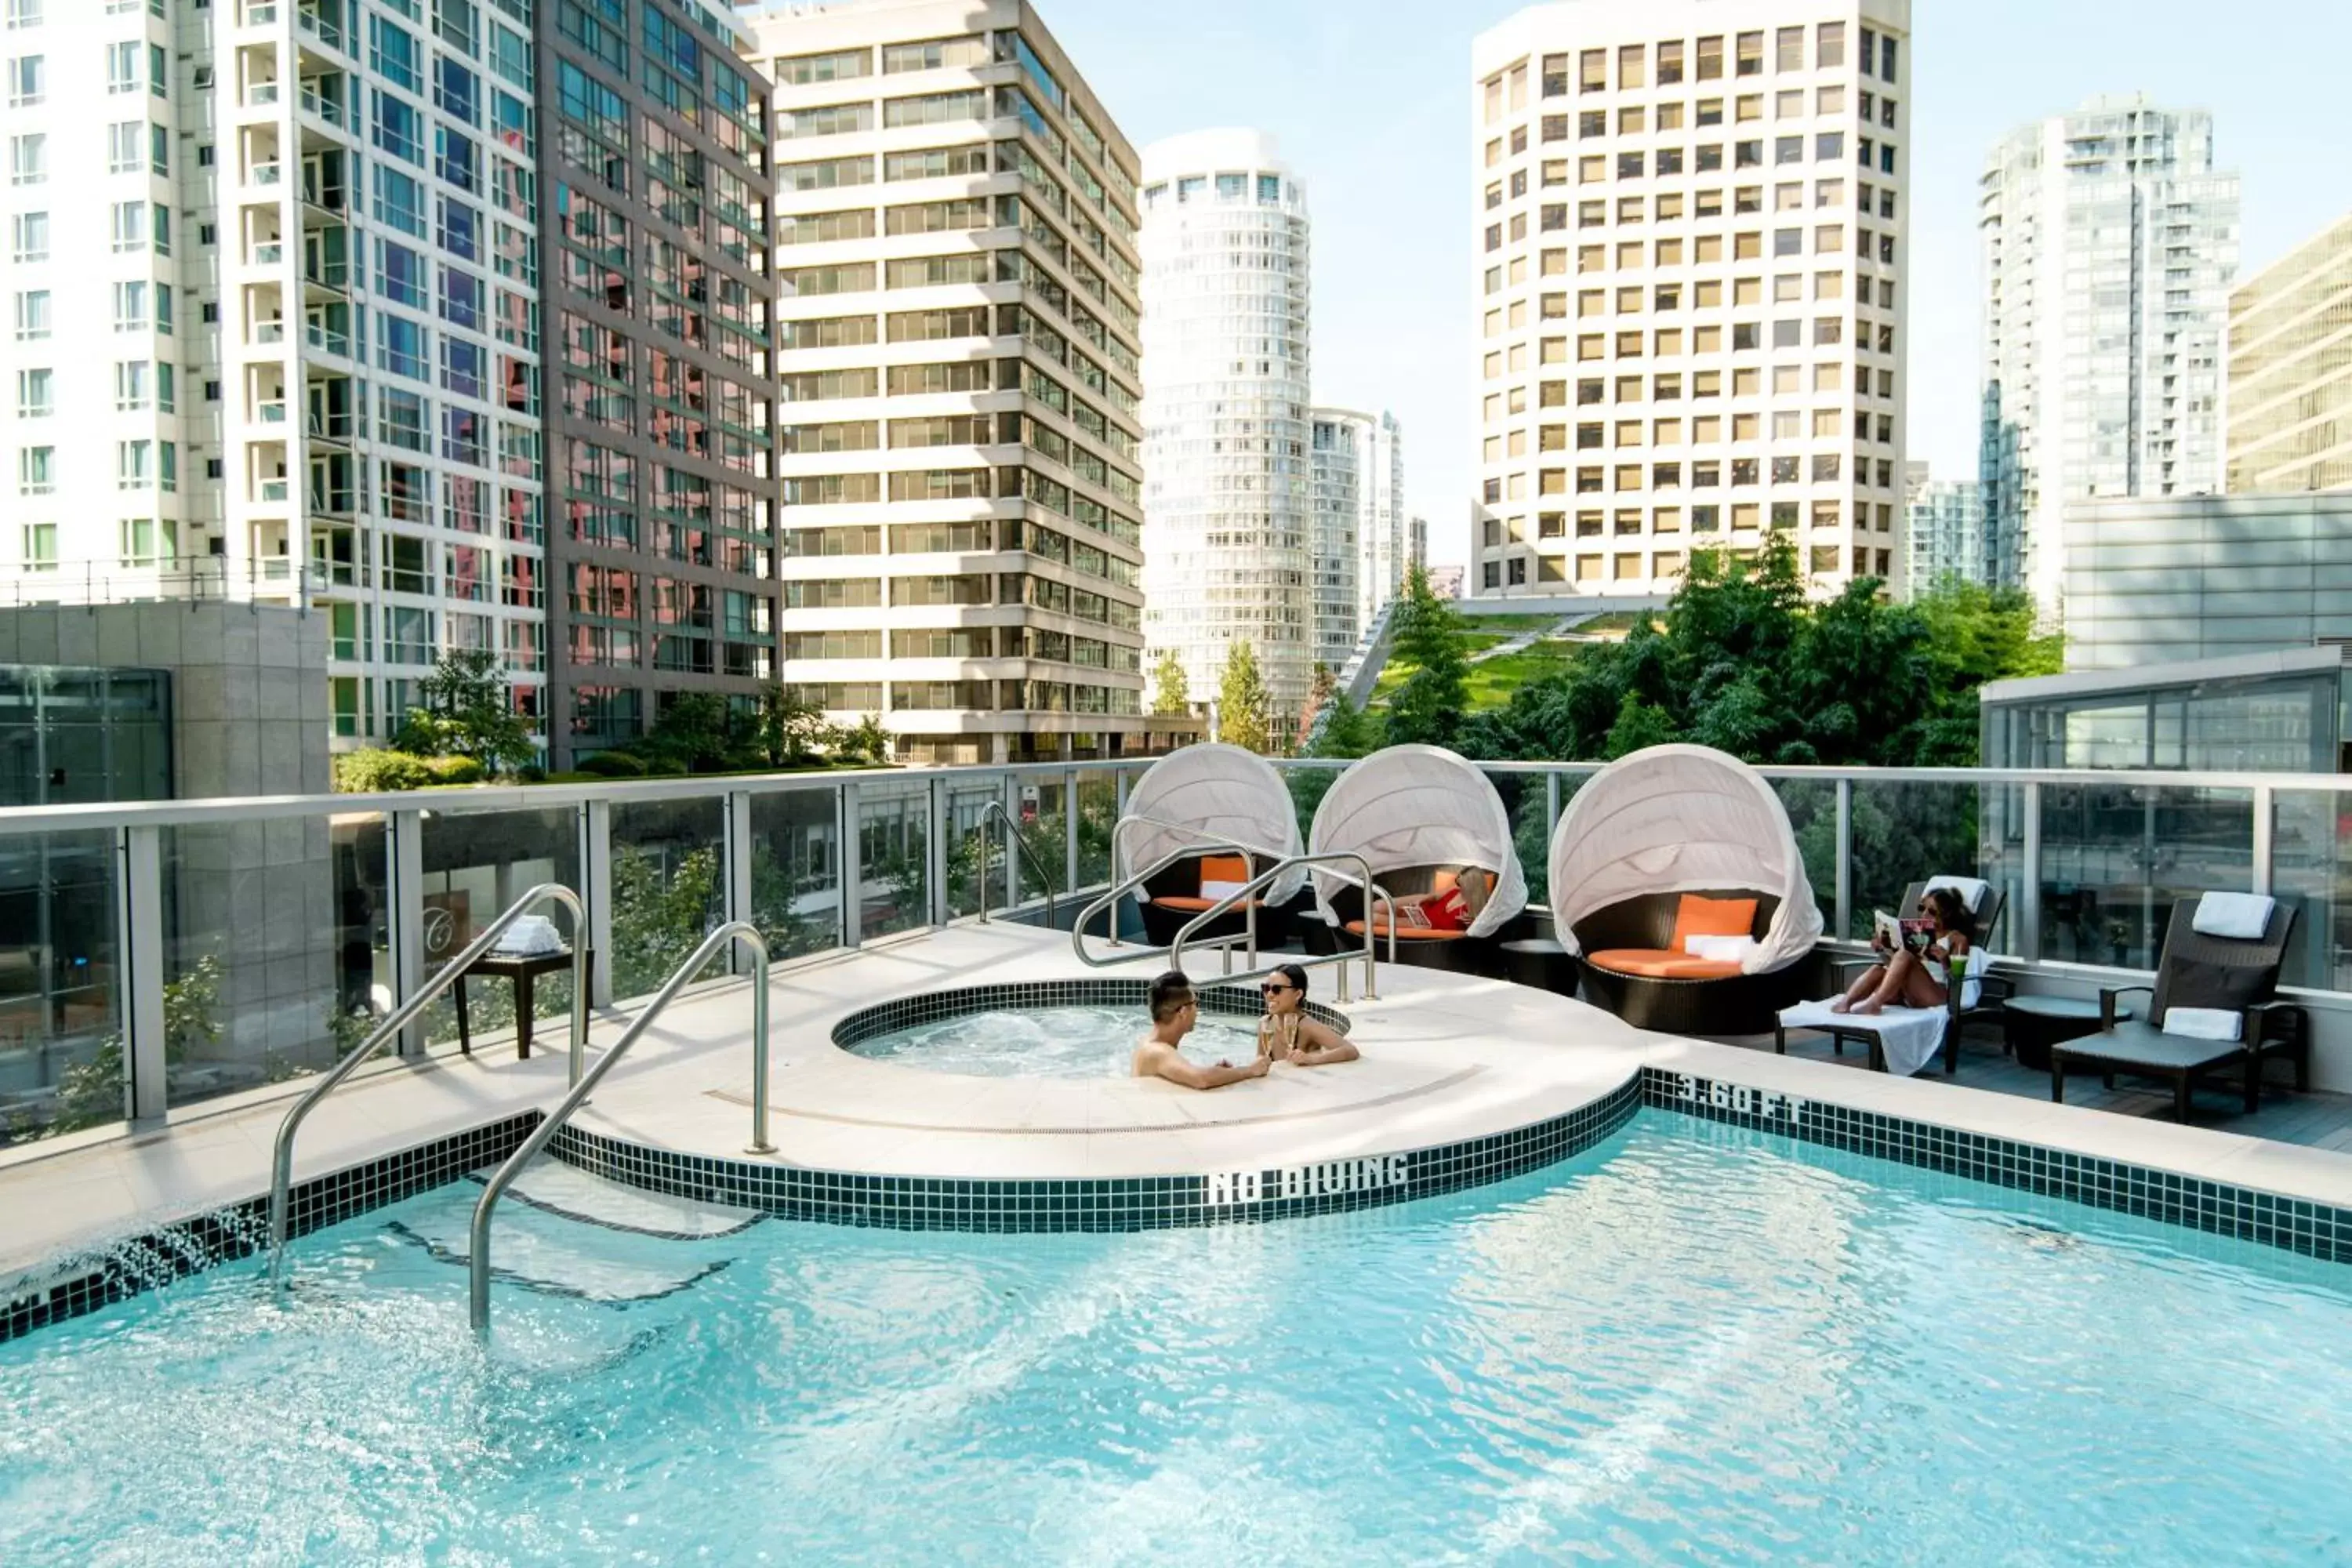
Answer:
(655, 199)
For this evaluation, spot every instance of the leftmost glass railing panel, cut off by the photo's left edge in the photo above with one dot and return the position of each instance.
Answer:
(60, 1019)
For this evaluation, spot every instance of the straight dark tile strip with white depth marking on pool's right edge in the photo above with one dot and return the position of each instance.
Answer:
(2301, 1226)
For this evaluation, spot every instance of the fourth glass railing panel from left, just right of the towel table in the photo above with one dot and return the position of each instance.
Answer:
(669, 887)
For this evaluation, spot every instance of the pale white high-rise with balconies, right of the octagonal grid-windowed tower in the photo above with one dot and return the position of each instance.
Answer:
(2109, 250)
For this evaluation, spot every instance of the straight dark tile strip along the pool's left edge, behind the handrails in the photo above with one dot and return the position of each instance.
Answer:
(154, 1259)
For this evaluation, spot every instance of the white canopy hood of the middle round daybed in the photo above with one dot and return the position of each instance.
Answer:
(1419, 805)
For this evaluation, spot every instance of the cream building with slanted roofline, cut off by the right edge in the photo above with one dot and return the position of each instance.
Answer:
(2290, 375)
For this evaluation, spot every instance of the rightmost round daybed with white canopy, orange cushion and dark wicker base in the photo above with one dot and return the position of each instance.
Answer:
(1678, 880)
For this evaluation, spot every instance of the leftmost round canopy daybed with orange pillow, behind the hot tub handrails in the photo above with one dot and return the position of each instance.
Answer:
(1210, 796)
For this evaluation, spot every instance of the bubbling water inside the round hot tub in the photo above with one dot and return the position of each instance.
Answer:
(1050, 1043)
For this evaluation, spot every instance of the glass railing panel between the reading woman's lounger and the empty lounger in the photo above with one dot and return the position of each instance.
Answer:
(2118, 855)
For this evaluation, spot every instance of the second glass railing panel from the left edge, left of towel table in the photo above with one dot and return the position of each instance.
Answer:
(276, 949)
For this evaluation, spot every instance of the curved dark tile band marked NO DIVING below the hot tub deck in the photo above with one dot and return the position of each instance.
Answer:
(1137, 1202)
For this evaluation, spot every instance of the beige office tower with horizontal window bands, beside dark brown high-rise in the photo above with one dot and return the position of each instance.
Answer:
(961, 382)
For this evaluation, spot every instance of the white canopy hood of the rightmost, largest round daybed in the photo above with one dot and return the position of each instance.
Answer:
(1681, 819)
